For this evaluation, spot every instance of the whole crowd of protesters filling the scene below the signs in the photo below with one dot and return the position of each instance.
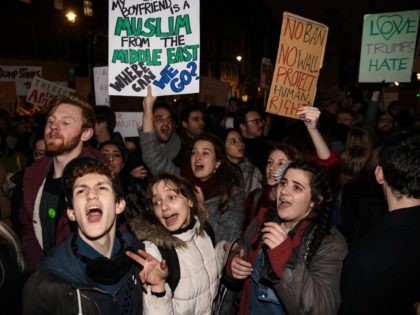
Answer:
(313, 215)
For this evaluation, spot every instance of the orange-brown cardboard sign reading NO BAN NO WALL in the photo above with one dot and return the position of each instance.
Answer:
(299, 60)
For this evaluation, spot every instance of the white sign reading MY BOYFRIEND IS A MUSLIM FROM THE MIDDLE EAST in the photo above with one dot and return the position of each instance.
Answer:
(154, 42)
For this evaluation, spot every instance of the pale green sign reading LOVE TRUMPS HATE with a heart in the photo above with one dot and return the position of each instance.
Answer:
(388, 46)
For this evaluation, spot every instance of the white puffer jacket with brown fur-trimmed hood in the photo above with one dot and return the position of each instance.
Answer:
(200, 266)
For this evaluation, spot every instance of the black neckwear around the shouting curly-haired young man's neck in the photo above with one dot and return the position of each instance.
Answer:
(105, 270)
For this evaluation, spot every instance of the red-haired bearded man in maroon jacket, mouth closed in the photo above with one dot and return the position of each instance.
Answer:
(70, 123)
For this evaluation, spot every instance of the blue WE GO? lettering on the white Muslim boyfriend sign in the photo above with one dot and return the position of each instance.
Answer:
(177, 80)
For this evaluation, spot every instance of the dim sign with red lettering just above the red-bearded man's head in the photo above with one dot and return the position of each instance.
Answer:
(43, 91)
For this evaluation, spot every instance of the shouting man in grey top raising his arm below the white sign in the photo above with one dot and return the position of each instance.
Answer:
(160, 145)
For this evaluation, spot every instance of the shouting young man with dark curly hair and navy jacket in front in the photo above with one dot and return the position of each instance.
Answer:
(89, 273)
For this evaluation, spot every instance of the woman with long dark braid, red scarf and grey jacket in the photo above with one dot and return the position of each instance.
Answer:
(290, 258)
